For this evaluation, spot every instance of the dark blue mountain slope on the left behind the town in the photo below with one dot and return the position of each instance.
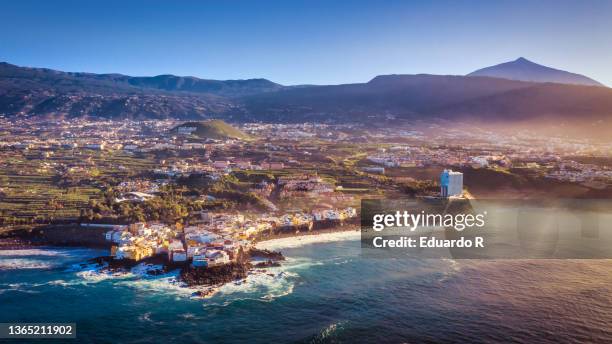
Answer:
(41, 91)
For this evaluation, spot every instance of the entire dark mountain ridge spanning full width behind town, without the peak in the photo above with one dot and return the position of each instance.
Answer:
(45, 92)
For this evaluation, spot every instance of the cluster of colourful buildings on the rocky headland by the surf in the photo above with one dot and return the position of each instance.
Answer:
(214, 239)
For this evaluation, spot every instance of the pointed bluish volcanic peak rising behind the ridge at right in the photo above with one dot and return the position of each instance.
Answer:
(525, 70)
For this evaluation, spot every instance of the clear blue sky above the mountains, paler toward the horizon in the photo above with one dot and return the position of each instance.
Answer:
(305, 42)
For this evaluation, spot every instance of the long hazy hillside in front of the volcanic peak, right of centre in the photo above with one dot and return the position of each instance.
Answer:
(436, 96)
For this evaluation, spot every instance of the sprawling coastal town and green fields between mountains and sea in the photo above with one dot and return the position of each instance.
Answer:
(165, 174)
